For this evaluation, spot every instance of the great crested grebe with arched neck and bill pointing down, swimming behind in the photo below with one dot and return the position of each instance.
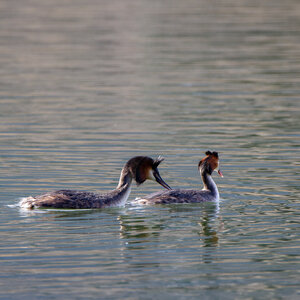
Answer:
(138, 168)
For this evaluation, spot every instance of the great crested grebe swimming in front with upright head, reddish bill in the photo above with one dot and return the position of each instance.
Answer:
(209, 192)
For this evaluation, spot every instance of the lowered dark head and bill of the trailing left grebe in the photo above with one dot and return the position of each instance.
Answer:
(144, 167)
